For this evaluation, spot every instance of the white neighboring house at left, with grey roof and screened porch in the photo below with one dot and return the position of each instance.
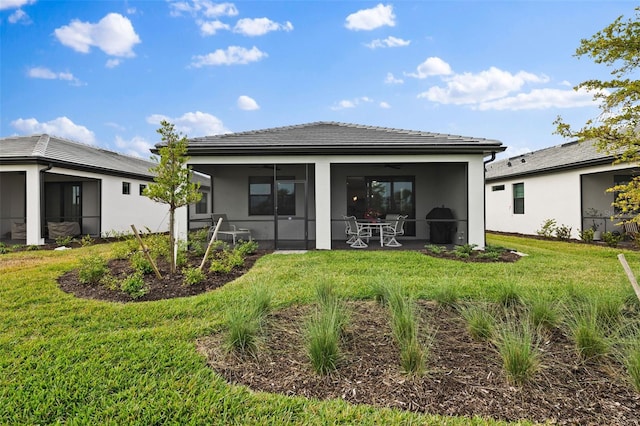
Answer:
(45, 181)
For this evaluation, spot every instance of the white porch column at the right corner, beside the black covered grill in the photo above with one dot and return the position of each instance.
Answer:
(477, 209)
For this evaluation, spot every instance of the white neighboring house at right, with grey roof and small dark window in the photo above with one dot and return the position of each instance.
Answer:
(567, 183)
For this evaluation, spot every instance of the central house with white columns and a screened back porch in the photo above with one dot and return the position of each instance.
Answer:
(292, 185)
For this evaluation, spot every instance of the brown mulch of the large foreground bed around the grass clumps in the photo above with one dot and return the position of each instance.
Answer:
(463, 377)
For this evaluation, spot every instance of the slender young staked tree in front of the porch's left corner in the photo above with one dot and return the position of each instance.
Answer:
(173, 185)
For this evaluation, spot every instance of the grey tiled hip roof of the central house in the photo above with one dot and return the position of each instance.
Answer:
(338, 138)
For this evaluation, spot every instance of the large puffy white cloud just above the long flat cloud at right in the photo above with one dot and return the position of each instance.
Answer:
(468, 88)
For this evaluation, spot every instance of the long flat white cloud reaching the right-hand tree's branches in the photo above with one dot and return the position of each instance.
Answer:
(541, 99)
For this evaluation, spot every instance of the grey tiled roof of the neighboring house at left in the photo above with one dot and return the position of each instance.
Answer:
(45, 149)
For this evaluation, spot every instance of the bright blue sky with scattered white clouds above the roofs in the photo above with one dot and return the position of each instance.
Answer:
(106, 72)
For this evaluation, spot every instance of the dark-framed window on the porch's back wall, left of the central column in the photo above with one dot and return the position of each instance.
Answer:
(261, 196)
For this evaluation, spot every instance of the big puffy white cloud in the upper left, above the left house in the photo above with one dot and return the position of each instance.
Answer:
(114, 34)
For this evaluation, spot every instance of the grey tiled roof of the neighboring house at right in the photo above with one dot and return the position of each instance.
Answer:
(571, 155)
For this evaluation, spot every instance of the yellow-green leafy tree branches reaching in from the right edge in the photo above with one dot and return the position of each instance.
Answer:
(616, 129)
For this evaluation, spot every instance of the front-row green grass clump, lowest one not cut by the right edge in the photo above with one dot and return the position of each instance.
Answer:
(520, 358)
